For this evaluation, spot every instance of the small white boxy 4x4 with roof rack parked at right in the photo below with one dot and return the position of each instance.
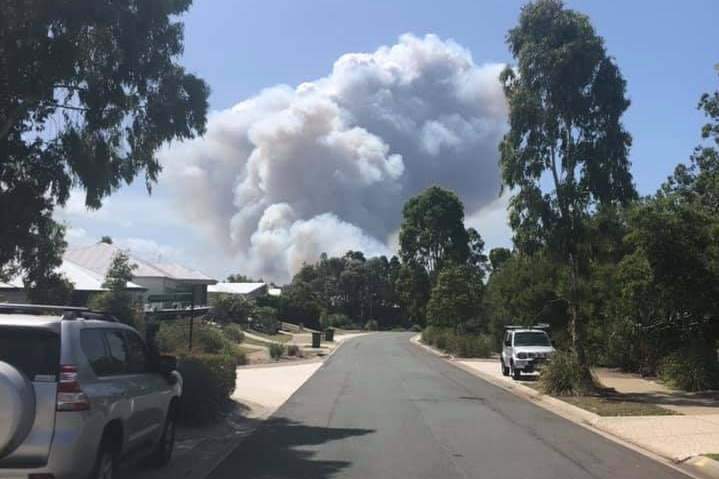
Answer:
(524, 349)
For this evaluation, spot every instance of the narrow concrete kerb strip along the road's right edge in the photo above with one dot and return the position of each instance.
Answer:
(698, 467)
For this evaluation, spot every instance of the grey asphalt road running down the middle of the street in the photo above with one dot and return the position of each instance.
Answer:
(383, 408)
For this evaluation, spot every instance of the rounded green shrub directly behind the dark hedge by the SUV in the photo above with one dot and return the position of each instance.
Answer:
(174, 337)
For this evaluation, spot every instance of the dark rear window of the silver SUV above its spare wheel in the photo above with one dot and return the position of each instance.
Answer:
(36, 353)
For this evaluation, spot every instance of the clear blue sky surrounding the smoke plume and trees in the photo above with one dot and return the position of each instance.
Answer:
(665, 48)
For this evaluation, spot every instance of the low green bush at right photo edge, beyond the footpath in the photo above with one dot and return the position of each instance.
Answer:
(690, 370)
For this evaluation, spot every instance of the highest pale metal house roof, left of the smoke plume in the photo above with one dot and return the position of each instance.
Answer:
(98, 258)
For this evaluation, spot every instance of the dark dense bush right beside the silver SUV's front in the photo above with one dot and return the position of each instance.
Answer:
(208, 383)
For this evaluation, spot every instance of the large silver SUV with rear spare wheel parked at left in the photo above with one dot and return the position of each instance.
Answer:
(78, 392)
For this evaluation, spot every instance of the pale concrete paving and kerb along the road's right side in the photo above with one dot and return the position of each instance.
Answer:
(690, 430)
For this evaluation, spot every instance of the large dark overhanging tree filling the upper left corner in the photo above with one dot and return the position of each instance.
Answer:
(88, 92)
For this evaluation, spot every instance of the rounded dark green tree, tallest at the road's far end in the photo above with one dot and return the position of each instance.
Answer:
(432, 232)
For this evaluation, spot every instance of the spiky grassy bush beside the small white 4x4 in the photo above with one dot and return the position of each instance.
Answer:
(563, 376)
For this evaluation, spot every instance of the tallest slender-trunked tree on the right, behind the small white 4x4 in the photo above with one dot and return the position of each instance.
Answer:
(566, 98)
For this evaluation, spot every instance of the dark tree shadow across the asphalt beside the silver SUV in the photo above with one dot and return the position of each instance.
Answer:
(278, 450)
